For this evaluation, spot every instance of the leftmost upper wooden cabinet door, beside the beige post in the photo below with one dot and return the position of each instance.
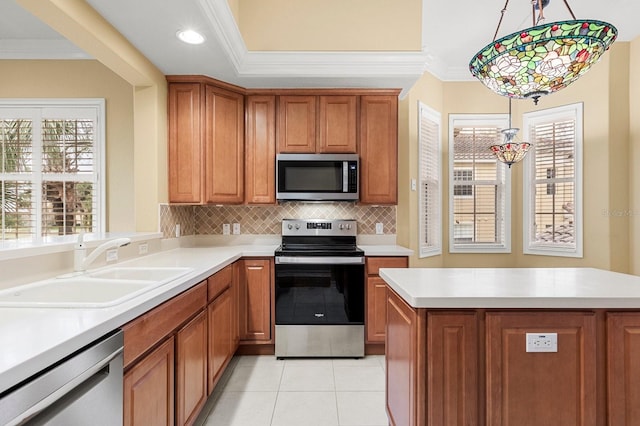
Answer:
(185, 143)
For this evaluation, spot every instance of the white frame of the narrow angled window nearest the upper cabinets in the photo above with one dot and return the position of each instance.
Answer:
(427, 249)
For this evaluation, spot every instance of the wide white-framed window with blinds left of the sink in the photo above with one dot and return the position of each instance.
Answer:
(50, 163)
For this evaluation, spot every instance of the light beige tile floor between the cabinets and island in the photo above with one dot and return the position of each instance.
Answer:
(265, 391)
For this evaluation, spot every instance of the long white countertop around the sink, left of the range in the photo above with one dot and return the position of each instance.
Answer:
(32, 339)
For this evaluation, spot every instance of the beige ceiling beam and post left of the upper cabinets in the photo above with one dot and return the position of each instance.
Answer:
(83, 26)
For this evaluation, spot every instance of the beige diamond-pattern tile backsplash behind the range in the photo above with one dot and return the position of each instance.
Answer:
(260, 220)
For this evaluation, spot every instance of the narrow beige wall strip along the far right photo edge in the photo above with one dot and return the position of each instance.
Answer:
(634, 157)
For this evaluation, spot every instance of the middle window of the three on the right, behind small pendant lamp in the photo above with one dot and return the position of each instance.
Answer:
(479, 201)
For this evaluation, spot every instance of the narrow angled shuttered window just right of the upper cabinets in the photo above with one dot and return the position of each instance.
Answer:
(430, 181)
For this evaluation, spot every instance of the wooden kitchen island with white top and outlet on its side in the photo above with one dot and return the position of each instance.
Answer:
(486, 346)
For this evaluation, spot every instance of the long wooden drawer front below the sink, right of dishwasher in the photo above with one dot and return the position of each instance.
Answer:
(144, 332)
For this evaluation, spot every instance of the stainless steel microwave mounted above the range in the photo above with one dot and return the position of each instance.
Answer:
(317, 177)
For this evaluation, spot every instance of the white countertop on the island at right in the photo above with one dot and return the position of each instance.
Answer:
(558, 288)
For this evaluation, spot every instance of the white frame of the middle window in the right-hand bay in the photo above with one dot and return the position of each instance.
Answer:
(499, 121)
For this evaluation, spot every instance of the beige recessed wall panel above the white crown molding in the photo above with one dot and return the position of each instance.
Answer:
(330, 25)
